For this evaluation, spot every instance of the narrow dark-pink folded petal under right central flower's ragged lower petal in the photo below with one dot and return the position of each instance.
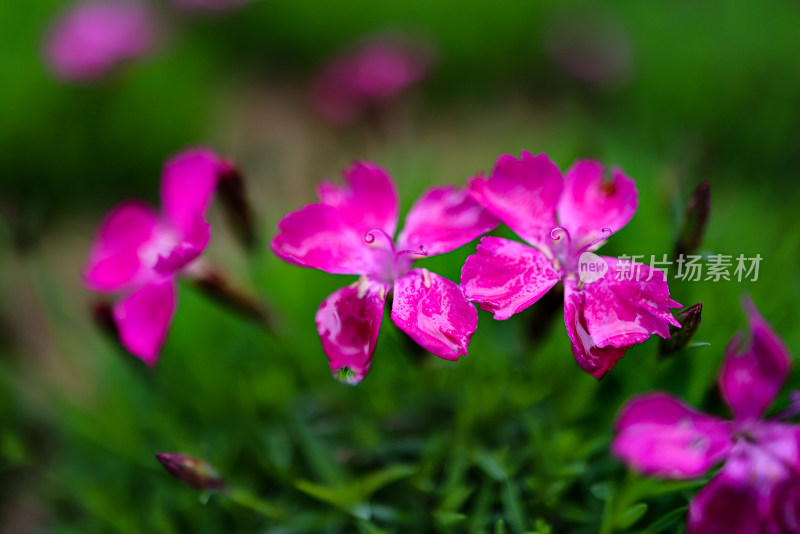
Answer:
(592, 358)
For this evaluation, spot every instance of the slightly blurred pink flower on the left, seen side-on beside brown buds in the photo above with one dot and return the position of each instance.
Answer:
(139, 253)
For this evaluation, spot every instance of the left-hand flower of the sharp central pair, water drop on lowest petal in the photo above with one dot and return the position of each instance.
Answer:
(351, 231)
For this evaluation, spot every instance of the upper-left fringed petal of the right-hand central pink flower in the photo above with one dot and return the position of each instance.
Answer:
(523, 194)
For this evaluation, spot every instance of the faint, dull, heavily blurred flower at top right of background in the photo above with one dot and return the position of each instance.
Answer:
(590, 46)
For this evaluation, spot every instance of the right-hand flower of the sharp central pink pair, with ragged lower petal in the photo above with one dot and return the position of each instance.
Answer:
(563, 219)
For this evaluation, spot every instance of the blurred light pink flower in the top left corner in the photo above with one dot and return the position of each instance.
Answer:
(94, 37)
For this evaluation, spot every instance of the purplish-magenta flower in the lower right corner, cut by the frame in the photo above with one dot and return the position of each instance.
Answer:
(757, 489)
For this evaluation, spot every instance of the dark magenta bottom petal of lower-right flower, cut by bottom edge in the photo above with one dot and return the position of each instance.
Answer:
(725, 507)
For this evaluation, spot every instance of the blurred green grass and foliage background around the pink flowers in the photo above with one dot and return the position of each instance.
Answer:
(513, 438)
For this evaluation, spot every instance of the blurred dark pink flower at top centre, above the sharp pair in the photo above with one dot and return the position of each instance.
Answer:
(372, 75)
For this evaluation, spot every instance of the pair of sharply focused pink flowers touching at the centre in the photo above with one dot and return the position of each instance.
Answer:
(351, 229)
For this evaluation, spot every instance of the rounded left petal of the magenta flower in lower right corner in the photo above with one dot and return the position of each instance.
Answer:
(659, 435)
